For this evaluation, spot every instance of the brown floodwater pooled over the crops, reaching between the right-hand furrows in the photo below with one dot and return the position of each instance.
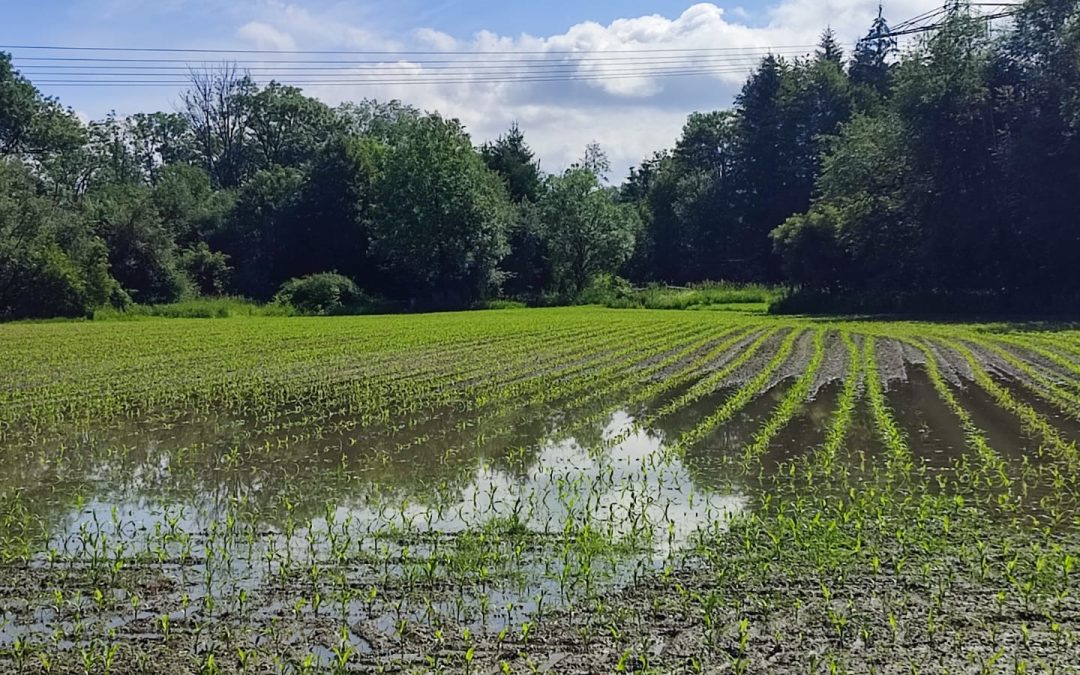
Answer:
(562, 472)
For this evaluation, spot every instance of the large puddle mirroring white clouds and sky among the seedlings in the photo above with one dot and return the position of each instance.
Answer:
(217, 521)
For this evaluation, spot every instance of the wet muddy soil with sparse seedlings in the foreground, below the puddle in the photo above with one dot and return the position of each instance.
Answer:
(934, 614)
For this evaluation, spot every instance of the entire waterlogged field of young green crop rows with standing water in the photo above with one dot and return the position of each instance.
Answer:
(569, 491)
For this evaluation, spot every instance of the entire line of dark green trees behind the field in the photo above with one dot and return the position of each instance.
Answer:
(929, 180)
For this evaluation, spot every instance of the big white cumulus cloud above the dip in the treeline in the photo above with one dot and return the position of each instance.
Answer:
(626, 103)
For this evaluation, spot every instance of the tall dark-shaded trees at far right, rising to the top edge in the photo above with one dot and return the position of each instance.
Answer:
(930, 200)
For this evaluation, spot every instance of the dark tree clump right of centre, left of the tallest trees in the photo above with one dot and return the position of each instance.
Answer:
(737, 175)
